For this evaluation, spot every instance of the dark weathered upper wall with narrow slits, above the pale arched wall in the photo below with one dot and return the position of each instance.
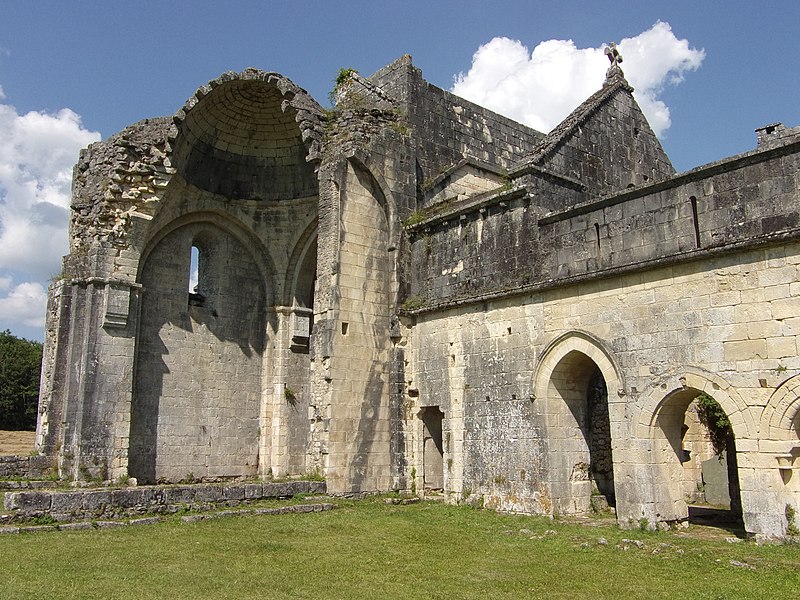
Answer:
(489, 250)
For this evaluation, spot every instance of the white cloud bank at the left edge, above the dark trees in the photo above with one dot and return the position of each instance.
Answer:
(37, 152)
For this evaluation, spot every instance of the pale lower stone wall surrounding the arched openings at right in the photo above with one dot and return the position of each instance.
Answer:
(731, 316)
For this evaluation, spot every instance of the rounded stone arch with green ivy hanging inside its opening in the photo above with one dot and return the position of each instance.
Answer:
(661, 422)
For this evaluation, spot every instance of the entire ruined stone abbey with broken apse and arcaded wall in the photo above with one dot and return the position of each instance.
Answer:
(411, 292)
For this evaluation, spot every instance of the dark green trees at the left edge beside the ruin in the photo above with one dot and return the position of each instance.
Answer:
(20, 366)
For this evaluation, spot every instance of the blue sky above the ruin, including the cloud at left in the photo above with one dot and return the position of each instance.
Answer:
(112, 64)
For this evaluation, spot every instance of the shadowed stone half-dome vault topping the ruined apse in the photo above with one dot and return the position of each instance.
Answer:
(251, 135)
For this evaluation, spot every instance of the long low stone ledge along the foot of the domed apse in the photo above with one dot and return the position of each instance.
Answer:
(81, 505)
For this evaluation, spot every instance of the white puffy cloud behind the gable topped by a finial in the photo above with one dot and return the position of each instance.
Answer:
(542, 87)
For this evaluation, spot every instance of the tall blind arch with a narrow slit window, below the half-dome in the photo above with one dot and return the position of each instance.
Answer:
(198, 372)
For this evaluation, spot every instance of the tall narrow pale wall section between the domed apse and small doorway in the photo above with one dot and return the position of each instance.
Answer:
(359, 432)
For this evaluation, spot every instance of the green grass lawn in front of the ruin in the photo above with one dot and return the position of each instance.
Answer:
(369, 549)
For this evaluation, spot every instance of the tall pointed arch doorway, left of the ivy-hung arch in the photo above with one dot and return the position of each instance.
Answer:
(580, 457)
